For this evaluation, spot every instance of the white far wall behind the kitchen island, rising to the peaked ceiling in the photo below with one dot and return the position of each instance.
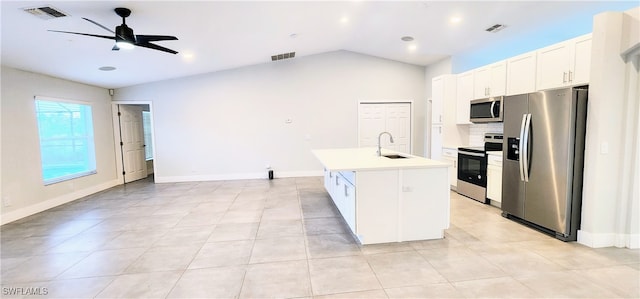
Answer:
(231, 124)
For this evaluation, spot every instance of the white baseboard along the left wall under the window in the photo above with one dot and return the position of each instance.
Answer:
(54, 202)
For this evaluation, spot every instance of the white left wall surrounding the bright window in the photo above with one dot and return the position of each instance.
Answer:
(22, 184)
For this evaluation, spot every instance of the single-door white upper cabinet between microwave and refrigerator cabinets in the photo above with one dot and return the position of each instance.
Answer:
(521, 74)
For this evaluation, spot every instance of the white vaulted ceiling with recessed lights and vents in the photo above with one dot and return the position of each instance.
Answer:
(224, 35)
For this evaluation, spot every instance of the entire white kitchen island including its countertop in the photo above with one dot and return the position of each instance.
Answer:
(387, 200)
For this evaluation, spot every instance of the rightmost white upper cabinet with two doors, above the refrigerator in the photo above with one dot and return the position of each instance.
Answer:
(564, 64)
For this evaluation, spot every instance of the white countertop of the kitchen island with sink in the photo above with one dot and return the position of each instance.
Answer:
(365, 158)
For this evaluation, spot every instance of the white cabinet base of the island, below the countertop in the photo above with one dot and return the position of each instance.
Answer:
(391, 205)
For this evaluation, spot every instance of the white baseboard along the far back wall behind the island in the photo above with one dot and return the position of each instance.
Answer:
(238, 176)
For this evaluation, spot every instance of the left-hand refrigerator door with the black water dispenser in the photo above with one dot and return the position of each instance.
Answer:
(513, 188)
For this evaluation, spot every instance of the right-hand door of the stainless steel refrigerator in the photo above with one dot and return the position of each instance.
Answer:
(550, 166)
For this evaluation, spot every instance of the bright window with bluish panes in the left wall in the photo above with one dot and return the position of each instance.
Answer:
(66, 140)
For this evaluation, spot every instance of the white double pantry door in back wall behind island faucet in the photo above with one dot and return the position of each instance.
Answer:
(375, 118)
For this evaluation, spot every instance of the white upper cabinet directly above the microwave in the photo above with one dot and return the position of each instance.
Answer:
(490, 80)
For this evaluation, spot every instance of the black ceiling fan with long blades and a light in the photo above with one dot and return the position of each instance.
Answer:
(124, 37)
